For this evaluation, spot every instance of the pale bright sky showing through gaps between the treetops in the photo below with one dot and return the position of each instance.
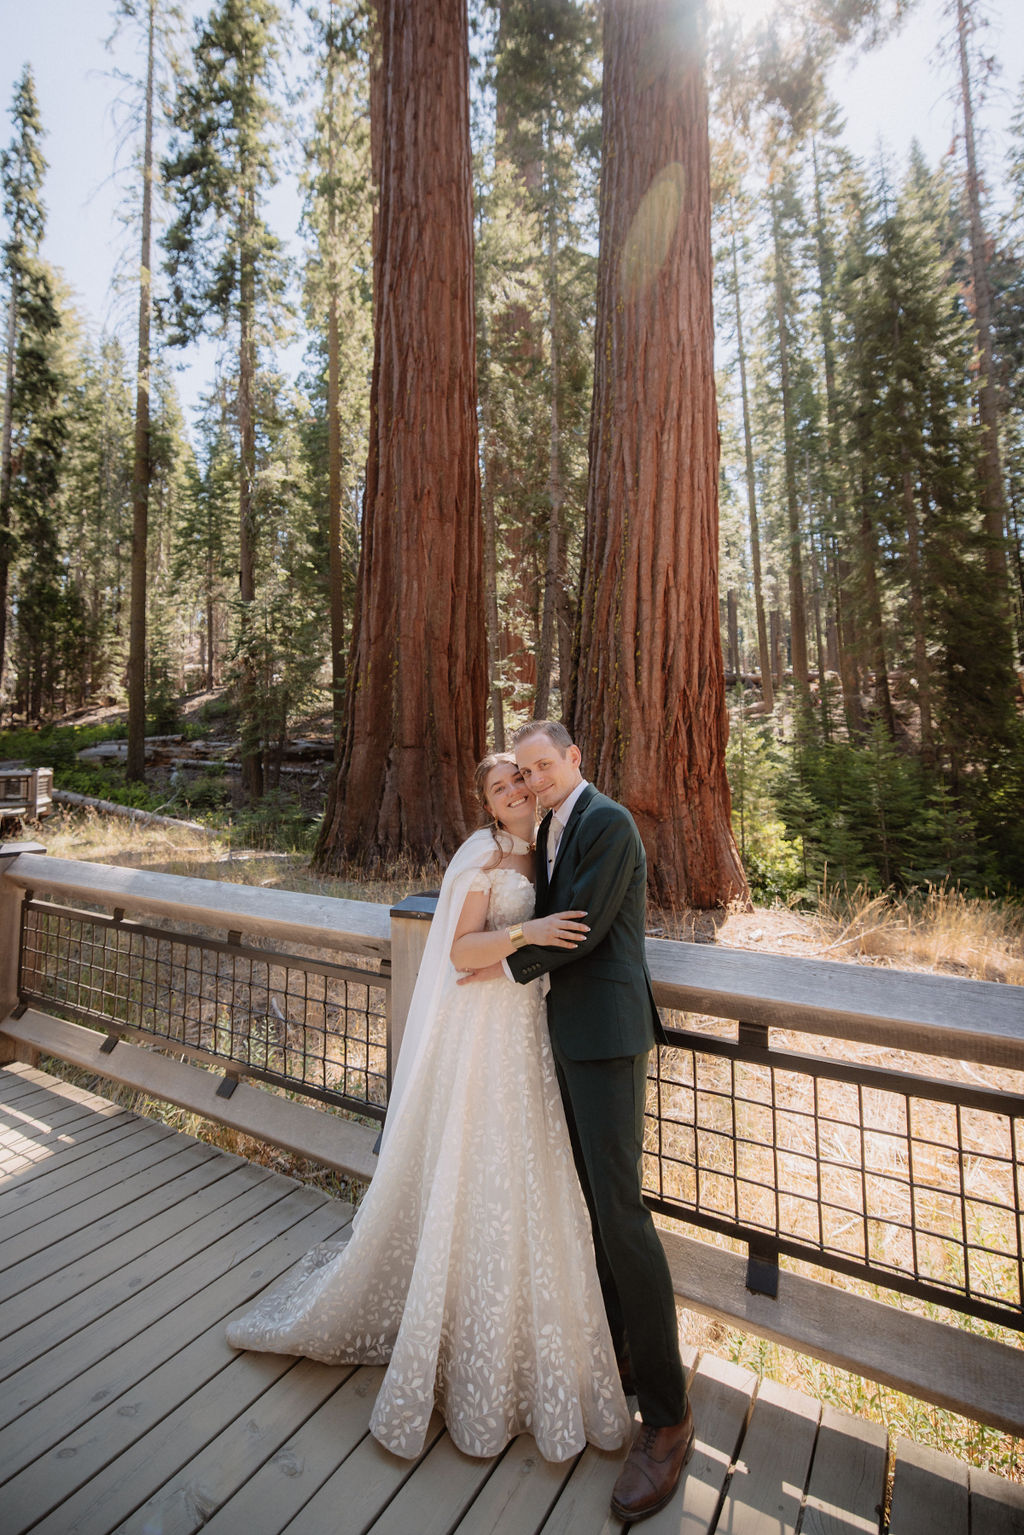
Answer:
(891, 96)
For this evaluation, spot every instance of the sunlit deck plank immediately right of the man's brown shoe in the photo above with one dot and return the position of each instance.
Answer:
(721, 1396)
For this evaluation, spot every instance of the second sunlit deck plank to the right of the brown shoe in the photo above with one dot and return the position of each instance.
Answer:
(768, 1481)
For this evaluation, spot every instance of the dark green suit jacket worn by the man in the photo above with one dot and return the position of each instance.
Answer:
(601, 1002)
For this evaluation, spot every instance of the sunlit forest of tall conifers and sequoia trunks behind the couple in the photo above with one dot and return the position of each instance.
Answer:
(842, 587)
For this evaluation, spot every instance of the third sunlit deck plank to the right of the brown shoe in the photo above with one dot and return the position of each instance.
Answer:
(847, 1493)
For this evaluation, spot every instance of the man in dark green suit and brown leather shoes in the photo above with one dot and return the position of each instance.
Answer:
(604, 1023)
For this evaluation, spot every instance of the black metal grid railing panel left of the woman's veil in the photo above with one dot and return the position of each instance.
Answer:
(311, 1026)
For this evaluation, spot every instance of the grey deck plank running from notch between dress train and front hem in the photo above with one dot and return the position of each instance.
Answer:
(296, 1473)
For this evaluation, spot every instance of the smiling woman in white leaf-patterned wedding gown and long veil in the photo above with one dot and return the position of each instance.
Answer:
(471, 1269)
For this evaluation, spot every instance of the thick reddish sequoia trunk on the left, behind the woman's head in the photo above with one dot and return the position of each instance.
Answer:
(418, 676)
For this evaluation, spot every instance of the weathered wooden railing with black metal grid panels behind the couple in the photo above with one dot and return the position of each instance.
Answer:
(807, 1115)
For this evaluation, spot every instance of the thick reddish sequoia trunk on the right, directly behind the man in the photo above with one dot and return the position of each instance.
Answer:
(650, 696)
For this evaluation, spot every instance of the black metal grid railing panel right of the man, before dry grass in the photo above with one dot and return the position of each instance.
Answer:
(903, 1181)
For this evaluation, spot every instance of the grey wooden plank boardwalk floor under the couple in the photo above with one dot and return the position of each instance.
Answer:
(127, 1246)
